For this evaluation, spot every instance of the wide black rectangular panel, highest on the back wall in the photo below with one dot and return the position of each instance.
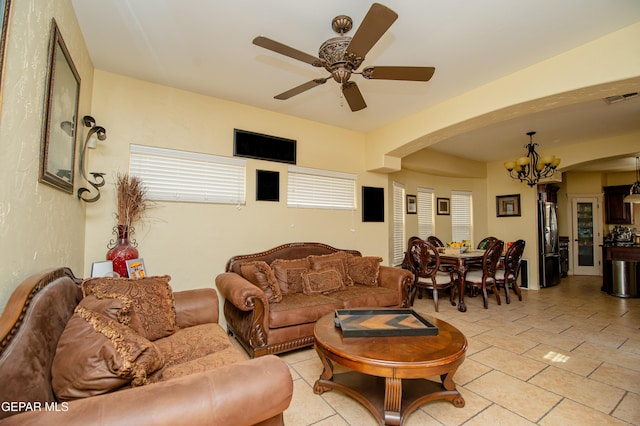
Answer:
(263, 147)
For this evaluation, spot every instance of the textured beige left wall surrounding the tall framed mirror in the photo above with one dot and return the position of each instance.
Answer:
(40, 226)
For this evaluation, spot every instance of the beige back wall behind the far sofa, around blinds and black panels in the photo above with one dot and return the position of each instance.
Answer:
(192, 242)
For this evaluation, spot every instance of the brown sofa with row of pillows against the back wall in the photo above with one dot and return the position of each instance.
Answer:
(272, 299)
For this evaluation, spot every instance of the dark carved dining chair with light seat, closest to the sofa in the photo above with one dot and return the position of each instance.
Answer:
(425, 262)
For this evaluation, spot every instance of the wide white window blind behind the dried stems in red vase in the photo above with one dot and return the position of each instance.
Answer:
(173, 175)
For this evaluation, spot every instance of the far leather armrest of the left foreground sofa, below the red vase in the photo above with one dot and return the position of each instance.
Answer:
(194, 307)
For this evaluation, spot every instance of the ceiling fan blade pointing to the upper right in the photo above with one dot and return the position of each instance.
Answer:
(377, 21)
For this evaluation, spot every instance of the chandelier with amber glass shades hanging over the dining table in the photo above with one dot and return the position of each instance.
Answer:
(532, 168)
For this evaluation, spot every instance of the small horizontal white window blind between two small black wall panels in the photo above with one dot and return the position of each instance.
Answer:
(321, 189)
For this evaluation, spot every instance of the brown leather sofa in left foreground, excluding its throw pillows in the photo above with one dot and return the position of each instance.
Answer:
(238, 391)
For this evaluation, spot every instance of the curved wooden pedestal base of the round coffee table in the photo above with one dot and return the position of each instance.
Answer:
(389, 400)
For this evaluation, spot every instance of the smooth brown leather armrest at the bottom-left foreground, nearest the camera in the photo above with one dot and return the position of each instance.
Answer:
(246, 393)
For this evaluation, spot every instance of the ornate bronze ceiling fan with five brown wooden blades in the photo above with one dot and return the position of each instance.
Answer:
(342, 56)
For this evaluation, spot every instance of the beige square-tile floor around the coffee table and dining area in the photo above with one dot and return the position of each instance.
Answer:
(565, 355)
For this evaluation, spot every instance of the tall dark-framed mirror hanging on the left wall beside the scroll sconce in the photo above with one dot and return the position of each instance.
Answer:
(58, 144)
